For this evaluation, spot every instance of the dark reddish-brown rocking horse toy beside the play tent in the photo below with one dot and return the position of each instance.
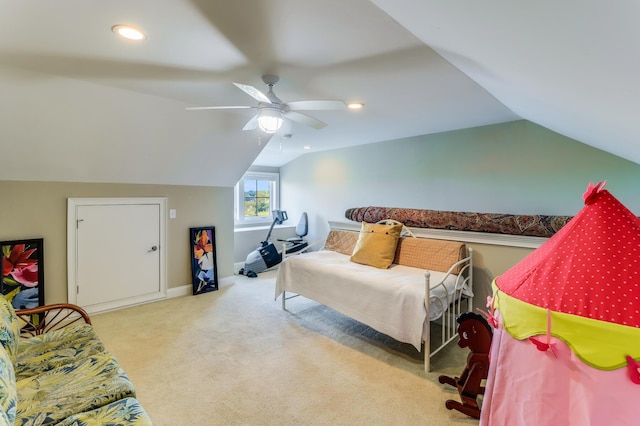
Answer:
(475, 333)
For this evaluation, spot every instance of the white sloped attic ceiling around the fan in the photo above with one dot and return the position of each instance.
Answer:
(79, 104)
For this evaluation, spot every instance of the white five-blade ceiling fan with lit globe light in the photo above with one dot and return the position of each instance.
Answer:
(271, 111)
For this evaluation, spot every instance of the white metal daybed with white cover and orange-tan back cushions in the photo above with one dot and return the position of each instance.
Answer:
(428, 280)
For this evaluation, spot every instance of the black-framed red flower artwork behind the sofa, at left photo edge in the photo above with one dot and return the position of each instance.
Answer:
(23, 272)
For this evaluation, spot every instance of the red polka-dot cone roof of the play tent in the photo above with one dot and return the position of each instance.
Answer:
(590, 268)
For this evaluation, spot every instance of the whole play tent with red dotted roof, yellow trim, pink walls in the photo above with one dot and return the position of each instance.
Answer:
(567, 337)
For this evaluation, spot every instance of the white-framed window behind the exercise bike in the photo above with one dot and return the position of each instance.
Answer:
(256, 196)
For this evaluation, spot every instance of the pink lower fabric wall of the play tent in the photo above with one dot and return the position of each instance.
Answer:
(529, 387)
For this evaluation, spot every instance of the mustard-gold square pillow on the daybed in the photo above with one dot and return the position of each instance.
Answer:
(376, 245)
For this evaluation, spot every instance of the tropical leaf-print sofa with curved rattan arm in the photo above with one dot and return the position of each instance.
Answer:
(54, 369)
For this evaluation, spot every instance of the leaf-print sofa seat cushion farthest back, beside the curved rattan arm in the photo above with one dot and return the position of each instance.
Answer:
(56, 348)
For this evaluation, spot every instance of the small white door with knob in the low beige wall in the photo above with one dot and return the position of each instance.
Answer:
(118, 253)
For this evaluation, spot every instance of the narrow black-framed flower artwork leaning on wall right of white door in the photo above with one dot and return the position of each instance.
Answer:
(204, 270)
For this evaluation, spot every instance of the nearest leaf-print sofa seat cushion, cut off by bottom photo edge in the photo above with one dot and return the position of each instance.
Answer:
(125, 411)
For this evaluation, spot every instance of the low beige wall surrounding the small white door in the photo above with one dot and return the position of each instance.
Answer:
(39, 209)
